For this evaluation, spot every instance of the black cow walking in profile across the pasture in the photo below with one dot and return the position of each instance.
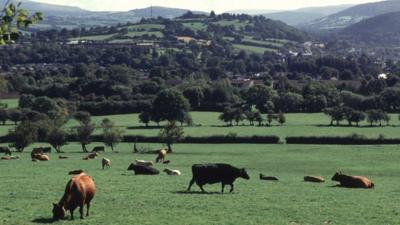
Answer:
(216, 173)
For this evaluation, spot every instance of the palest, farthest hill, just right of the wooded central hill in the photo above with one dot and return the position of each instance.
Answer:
(305, 15)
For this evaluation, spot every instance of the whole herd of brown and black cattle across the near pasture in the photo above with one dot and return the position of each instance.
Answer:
(81, 188)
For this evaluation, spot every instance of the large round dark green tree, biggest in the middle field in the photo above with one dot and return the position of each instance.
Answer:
(169, 104)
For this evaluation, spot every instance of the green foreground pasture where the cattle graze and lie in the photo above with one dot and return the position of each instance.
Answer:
(29, 189)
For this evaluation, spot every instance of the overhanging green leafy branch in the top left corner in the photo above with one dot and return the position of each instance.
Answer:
(14, 18)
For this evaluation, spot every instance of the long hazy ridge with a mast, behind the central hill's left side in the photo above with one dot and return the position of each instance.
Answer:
(59, 16)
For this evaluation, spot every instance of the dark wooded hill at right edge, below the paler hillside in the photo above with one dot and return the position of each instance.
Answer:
(383, 29)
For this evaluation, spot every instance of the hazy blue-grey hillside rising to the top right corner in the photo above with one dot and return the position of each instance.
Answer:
(353, 15)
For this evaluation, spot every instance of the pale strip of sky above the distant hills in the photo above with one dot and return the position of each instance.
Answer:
(203, 5)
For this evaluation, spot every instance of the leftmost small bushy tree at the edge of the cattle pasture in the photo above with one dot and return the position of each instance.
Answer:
(23, 135)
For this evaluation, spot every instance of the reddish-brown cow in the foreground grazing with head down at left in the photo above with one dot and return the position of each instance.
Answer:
(79, 191)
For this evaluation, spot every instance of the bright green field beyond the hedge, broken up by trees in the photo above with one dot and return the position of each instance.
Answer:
(297, 125)
